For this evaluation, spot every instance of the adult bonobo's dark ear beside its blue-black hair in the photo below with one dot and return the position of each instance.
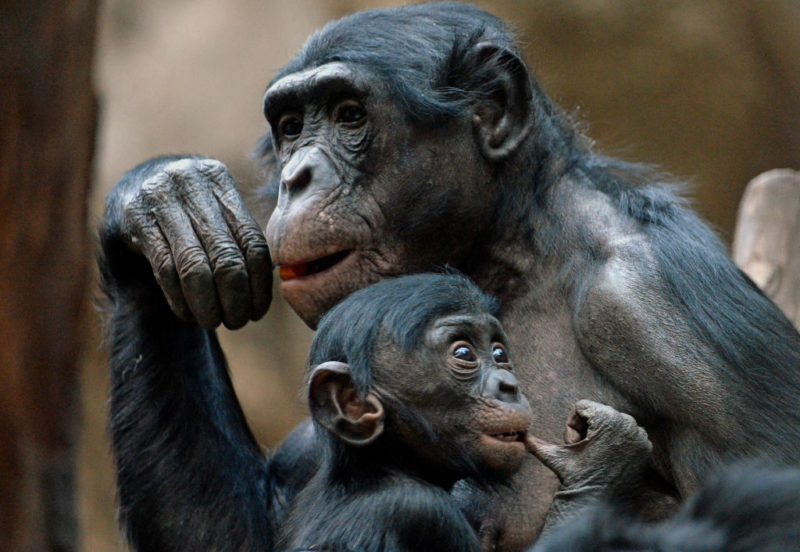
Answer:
(502, 113)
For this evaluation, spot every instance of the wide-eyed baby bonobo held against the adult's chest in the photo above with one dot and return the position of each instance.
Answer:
(411, 389)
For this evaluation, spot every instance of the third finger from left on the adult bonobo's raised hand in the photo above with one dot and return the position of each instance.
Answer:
(225, 258)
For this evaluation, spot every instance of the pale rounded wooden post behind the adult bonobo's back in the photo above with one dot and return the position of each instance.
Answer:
(767, 240)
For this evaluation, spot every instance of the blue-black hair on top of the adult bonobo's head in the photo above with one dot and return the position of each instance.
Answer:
(418, 49)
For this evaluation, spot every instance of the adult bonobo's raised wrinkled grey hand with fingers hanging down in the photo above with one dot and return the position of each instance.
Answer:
(208, 254)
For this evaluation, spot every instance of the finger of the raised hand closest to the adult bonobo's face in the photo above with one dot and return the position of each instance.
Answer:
(250, 239)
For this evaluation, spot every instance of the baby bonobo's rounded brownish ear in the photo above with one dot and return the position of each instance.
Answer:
(336, 404)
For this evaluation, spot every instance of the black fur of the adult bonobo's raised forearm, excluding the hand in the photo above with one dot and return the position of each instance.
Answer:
(184, 453)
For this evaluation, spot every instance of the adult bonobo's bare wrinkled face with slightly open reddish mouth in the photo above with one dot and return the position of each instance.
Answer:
(364, 193)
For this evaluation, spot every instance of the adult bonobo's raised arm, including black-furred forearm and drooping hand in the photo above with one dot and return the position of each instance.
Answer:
(190, 474)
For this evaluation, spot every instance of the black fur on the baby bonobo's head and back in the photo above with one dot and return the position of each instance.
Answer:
(378, 497)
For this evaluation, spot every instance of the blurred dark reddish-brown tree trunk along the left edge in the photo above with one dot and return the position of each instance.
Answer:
(47, 128)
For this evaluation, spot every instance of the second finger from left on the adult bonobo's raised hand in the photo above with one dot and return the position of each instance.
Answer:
(191, 262)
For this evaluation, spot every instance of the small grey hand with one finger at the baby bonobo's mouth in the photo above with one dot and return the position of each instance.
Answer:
(606, 452)
